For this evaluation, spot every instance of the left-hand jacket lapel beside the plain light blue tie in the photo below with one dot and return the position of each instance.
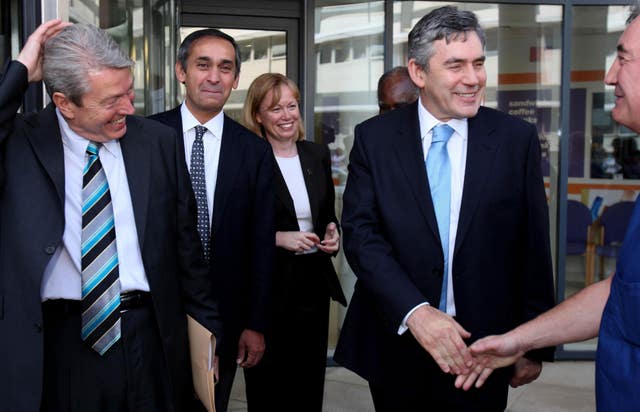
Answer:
(410, 158)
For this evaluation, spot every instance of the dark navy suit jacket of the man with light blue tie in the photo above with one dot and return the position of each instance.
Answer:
(501, 263)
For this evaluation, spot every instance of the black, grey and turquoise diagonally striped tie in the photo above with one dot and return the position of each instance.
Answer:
(100, 278)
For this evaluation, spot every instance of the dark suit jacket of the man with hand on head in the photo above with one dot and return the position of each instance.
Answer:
(32, 197)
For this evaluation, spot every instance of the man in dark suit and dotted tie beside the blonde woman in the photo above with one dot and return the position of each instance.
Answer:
(236, 197)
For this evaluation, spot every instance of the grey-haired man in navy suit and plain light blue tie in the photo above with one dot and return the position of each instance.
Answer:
(446, 227)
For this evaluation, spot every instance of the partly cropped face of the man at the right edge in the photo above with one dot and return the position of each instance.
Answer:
(623, 76)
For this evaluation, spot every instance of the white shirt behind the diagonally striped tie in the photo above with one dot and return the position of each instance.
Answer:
(62, 278)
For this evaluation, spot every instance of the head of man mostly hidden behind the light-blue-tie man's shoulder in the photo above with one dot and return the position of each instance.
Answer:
(396, 89)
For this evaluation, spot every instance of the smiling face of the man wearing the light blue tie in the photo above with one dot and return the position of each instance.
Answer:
(454, 83)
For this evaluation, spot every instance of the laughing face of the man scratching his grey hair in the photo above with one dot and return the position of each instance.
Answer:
(102, 115)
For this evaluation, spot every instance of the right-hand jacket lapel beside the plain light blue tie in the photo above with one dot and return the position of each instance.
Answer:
(481, 148)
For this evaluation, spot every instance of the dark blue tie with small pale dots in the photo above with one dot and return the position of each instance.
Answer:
(199, 185)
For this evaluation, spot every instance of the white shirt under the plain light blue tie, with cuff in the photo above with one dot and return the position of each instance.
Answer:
(457, 149)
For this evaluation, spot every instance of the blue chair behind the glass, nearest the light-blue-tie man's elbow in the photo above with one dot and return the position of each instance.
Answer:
(579, 235)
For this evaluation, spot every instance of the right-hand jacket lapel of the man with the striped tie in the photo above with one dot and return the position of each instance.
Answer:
(137, 161)
